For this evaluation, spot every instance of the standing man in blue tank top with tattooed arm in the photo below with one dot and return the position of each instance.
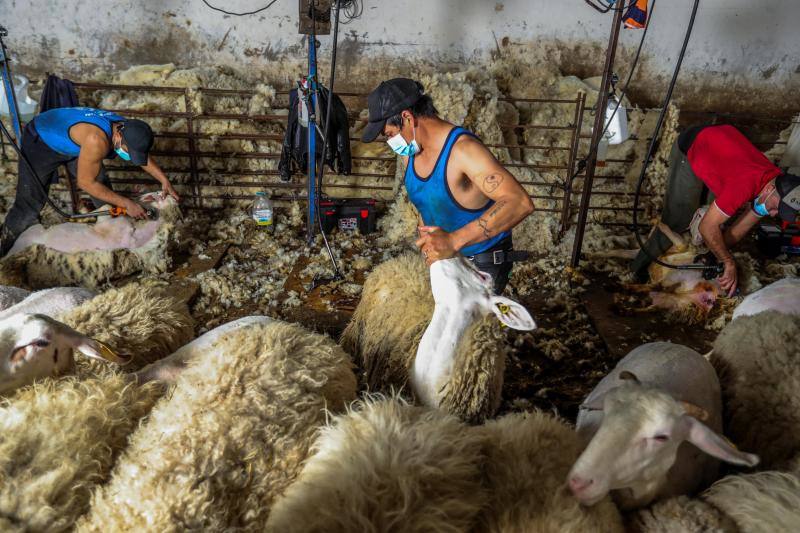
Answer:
(468, 202)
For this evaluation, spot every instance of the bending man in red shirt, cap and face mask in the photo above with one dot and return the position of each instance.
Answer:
(735, 173)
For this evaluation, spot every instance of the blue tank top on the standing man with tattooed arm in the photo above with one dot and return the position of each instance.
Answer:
(435, 202)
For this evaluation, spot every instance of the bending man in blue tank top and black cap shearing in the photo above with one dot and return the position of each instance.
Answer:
(80, 138)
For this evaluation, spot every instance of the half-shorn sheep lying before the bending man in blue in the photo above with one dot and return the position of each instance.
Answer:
(92, 254)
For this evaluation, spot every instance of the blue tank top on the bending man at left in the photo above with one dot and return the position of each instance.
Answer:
(53, 126)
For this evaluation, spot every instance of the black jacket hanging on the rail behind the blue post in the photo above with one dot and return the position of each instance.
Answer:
(294, 154)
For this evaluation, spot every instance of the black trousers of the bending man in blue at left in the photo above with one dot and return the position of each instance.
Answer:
(31, 196)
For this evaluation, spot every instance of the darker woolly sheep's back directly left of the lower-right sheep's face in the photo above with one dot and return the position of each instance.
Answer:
(529, 456)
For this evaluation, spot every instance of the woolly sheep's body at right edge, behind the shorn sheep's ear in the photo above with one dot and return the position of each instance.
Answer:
(758, 360)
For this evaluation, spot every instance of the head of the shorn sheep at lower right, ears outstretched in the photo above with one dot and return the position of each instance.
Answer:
(637, 444)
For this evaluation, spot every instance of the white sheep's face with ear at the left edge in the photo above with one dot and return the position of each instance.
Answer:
(36, 346)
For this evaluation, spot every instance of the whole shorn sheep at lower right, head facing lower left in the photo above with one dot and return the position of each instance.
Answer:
(653, 429)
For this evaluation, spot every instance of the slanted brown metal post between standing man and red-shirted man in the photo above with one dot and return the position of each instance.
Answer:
(599, 123)
